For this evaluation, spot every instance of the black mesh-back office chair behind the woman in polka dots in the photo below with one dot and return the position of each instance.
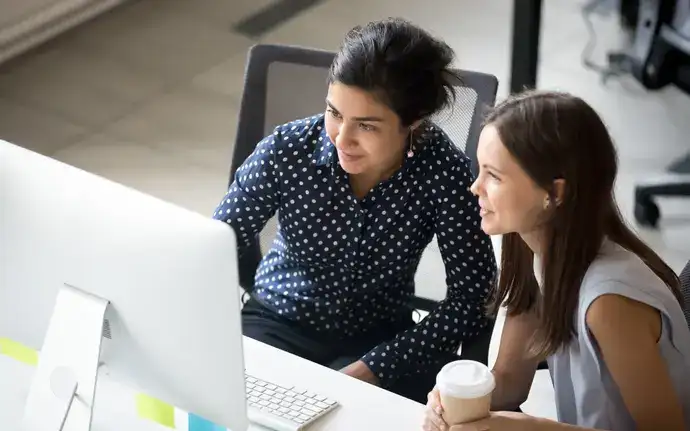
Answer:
(284, 83)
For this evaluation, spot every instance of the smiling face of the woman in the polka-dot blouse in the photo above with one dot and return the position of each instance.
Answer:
(367, 134)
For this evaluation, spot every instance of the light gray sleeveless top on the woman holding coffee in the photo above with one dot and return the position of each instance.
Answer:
(586, 394)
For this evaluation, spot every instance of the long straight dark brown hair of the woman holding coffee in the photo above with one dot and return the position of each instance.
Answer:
(558, 136)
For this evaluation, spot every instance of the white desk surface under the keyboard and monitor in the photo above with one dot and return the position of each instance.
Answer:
(362, 406)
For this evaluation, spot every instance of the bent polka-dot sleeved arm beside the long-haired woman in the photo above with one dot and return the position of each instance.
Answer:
(470, 269)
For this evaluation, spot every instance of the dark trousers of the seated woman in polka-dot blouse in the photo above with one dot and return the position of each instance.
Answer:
(268, 327)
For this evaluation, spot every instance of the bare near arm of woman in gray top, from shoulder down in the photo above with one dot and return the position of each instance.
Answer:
(626, 332)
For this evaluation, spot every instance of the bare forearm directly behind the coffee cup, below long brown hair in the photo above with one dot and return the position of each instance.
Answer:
(514, 368)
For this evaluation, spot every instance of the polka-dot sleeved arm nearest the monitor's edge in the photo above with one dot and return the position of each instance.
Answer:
(253, 197)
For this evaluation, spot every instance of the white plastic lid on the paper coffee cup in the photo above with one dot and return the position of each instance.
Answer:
(465, 379)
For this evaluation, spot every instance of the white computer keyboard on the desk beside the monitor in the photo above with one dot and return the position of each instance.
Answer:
(284, 408)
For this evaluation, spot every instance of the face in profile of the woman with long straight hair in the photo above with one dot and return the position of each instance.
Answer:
(509, 199)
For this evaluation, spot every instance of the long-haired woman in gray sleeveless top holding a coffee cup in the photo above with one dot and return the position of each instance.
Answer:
(580, 288)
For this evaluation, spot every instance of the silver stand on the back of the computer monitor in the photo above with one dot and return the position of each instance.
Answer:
(62, 391)
